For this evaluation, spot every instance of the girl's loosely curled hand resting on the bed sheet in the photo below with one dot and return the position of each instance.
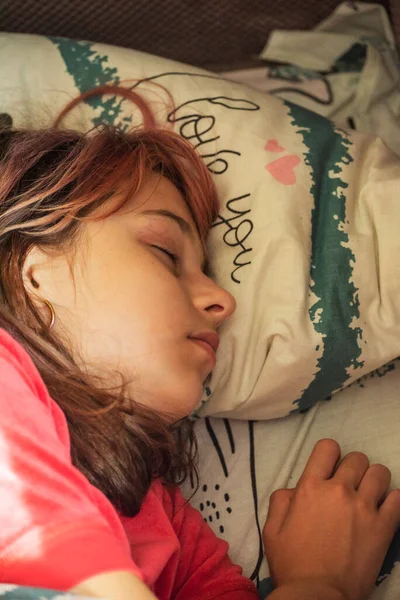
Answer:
(333, 530)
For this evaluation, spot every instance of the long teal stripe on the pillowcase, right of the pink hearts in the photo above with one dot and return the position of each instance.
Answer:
(331, 271)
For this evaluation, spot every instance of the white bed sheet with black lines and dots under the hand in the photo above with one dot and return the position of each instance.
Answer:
(243, 462)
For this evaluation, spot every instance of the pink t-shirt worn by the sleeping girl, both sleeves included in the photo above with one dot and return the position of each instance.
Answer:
(56, 529)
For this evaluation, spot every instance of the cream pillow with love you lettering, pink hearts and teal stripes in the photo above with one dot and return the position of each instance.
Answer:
(307, 238)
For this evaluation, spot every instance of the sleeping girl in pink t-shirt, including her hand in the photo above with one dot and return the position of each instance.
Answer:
(109, 329)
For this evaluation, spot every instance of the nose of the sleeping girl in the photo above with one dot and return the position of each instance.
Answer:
(215, 301)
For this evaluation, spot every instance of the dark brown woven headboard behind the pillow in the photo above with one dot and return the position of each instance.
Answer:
(216, 34)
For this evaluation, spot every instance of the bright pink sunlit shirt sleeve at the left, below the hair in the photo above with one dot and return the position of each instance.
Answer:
(53, 533)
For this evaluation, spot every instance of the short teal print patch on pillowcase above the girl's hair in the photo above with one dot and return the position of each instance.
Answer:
(89, 69)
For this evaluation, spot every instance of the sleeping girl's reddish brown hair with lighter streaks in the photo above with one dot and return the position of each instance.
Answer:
(50, 182)
